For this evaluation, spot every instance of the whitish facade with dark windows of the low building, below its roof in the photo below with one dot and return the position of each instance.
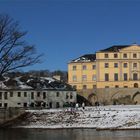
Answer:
(36, 98)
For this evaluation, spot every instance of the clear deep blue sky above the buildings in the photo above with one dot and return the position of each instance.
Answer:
(66, 29)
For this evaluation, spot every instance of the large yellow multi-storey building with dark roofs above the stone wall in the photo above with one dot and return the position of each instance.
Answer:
(114, 67)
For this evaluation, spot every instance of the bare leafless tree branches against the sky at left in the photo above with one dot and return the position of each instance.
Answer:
(14, 50)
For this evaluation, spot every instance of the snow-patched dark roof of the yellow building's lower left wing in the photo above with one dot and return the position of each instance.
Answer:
(85, 58)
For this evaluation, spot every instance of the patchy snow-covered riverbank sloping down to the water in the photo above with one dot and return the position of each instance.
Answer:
(102, 117)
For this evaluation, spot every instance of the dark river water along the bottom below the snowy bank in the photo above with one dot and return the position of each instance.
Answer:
(67, 134)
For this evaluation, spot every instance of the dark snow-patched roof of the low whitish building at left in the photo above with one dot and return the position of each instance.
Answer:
(34, 83)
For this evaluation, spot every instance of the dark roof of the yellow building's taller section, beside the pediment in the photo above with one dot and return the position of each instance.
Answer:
(114, 48)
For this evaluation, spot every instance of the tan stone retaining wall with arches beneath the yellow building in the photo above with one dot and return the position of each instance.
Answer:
(112, 95)
